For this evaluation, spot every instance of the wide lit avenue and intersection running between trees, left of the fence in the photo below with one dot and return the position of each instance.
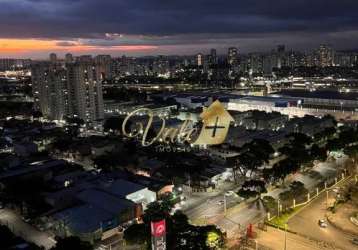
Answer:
(206, 208)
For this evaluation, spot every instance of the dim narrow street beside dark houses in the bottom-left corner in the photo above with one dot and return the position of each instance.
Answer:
(25, 230)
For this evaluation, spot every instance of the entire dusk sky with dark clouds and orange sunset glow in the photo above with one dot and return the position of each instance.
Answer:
(35, 28)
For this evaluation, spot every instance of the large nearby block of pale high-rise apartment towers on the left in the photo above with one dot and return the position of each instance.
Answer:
(73, 90)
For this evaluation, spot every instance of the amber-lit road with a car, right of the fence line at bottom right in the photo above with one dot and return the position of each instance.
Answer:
(306, 223)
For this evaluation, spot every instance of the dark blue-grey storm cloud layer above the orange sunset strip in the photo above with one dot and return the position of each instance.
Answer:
(173, 21)
